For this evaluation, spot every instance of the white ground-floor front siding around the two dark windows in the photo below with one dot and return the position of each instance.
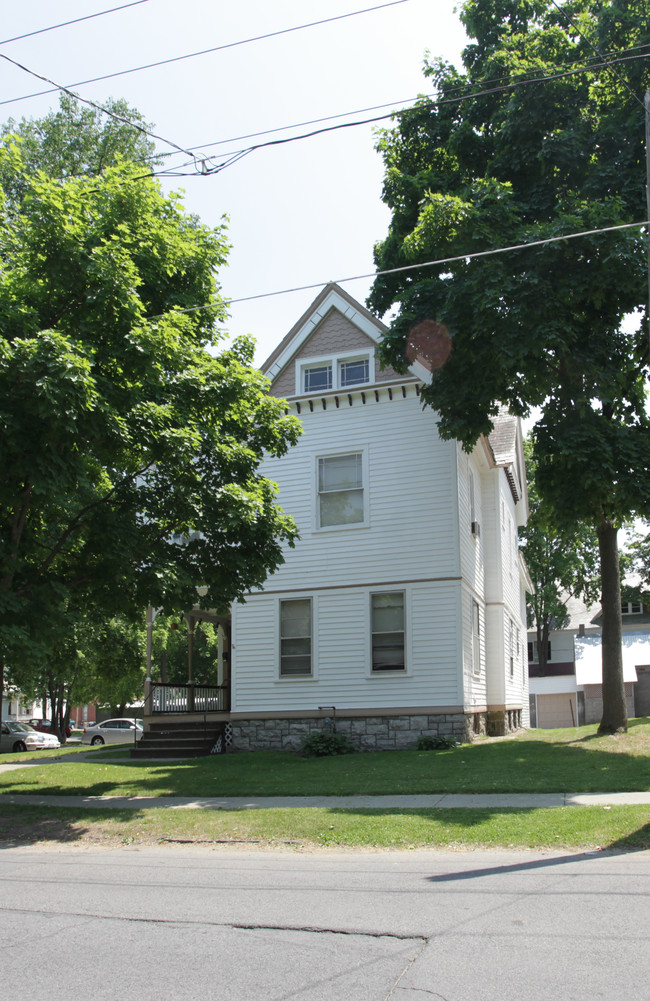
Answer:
(342, 654)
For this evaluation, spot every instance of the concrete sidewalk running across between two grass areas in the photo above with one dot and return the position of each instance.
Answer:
(439, 801)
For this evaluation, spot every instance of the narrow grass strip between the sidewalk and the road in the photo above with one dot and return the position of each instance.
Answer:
(589, 828)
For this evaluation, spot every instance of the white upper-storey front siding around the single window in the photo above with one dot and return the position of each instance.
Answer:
(408, 534)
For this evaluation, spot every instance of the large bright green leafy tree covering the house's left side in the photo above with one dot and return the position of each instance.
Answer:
(121, 425)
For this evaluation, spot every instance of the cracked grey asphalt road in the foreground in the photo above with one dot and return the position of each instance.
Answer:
(173, 924)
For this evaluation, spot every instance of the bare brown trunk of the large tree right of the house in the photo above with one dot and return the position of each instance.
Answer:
(614, 720)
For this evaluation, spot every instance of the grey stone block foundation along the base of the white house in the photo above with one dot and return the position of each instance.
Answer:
(371, 733)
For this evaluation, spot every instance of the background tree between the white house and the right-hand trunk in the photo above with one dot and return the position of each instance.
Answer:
(562, 563)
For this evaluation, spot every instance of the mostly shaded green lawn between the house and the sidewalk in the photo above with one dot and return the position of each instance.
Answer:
(539, 761)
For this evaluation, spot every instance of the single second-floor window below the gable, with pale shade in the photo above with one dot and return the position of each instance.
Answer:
(341, 490)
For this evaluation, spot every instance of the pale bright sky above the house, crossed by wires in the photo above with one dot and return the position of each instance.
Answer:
(301, 214)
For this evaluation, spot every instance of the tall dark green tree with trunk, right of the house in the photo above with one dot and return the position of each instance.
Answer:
(498, 161)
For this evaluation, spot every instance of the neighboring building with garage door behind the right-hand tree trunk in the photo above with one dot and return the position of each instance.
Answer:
(569, 693)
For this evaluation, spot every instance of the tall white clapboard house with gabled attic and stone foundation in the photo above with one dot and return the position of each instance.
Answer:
(401, 611)
